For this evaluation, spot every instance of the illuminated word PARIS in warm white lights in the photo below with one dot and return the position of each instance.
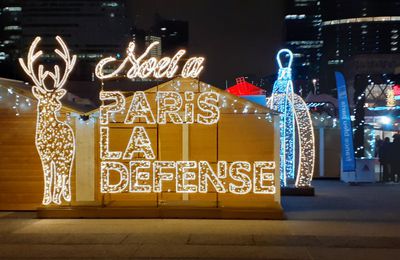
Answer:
(169, 105)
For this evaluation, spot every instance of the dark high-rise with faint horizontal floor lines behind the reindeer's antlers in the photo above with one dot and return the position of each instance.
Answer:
(92, 29)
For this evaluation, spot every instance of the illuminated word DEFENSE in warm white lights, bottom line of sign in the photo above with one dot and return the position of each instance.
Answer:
(189, 177)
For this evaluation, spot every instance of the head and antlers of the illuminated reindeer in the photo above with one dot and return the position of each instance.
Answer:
(48, 98)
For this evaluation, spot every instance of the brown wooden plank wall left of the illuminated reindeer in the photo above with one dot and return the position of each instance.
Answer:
(21, 178)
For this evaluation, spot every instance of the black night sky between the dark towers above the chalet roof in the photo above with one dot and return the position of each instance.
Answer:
(237, 37)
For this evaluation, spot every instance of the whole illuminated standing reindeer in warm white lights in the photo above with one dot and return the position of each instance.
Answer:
(55, 141)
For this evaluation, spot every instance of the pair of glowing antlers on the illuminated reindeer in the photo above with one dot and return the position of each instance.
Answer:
(39, 79)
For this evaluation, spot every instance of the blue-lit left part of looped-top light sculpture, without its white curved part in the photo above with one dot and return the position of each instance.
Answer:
(281, 100)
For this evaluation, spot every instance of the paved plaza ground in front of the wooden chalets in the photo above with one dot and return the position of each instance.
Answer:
(340, 222)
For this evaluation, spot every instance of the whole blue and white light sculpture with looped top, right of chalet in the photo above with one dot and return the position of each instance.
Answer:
(294, 112)
